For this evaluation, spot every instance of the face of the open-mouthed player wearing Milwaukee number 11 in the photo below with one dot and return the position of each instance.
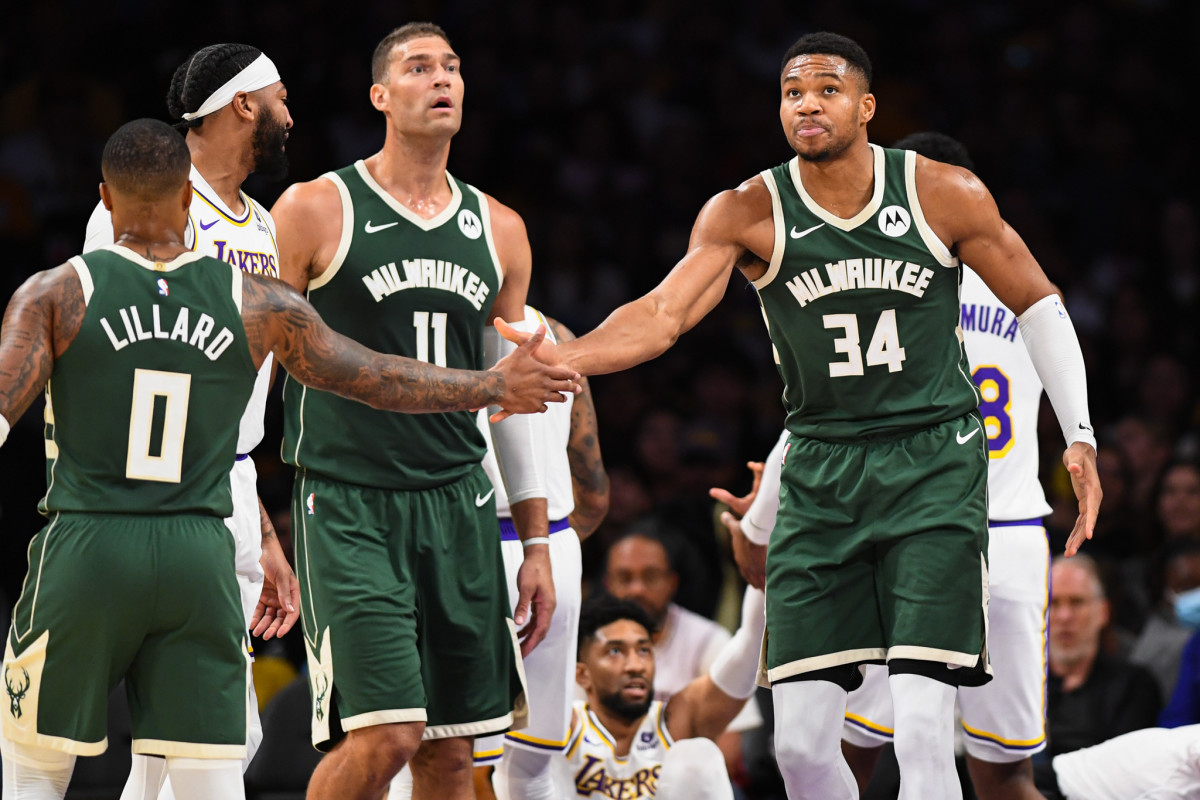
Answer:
(423, 94)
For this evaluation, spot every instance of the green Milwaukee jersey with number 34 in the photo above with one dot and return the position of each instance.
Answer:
(863, 312)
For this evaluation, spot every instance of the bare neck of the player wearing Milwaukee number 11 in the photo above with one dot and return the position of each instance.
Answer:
(415, 172)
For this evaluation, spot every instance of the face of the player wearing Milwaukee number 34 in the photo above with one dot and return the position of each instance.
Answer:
(824, 109)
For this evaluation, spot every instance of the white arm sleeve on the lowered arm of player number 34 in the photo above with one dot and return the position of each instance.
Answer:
(1054, 348)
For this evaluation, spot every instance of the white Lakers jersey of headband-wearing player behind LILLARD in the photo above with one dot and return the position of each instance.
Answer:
(247, 242)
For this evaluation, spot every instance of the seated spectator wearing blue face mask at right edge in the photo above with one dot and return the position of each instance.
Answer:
(1175, 616)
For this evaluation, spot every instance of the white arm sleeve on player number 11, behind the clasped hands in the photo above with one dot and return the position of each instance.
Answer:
(515, 438)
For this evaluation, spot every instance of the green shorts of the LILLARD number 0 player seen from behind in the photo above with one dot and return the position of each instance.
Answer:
(153, 599)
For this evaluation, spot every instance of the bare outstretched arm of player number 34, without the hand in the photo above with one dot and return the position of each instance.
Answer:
(735, 230)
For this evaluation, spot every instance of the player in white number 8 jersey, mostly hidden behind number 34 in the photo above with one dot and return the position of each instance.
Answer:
(1004, 721)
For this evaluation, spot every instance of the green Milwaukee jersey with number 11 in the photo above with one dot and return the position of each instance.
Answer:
(413, 287)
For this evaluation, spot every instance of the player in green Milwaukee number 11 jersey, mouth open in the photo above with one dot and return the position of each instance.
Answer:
(403, 581)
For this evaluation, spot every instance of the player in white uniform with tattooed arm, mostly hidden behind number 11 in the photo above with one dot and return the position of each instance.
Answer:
(577, 490)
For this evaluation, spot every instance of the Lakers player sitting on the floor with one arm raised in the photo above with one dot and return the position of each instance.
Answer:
(626, 744)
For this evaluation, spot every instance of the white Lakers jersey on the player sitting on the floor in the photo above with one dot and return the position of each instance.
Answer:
(598, 773)
